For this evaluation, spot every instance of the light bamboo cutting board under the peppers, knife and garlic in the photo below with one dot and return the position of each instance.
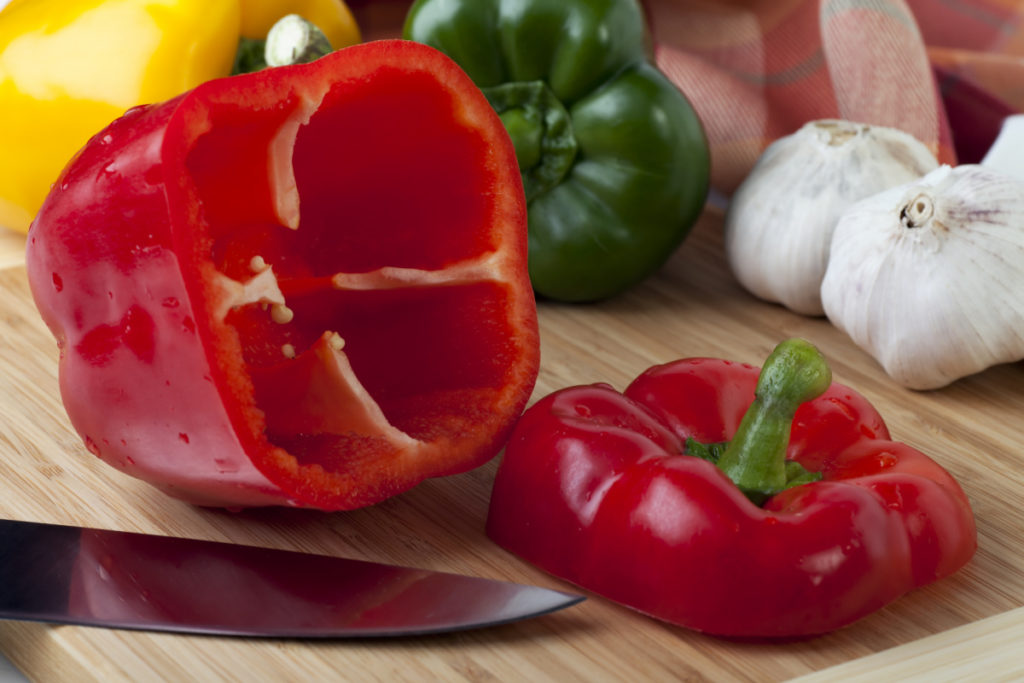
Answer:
(971, 624)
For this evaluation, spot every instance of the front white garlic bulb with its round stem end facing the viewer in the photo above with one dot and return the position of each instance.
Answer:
(928, 278)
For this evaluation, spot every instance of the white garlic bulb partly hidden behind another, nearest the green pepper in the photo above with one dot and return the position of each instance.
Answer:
(780, 224)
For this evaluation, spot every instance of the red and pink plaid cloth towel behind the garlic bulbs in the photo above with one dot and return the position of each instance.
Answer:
(947, 71)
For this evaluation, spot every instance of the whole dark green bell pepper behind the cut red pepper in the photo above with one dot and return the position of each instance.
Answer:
(614, 159)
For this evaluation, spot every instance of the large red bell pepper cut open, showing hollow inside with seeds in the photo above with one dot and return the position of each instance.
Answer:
(305, 286)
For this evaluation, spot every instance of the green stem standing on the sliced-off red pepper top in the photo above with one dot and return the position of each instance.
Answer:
(755, 459)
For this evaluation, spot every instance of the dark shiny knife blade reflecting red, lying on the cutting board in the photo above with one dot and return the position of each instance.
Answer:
(90, 577)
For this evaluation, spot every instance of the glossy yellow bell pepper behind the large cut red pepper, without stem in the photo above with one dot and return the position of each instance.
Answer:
(68, 68)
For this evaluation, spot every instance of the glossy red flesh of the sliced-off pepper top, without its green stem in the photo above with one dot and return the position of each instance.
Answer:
(593, 489)
